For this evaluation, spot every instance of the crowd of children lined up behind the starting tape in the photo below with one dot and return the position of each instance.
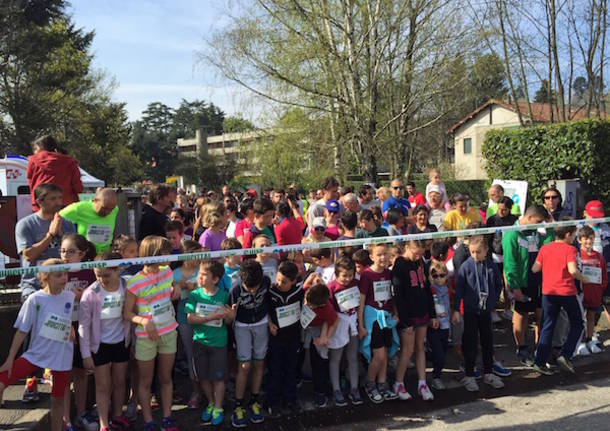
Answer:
(244, 316)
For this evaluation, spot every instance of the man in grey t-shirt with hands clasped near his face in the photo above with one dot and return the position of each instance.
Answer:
(38, 236)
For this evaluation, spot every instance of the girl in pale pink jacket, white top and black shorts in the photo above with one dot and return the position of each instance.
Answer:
(104, 339)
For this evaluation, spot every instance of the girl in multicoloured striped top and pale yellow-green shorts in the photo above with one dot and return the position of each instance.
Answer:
(148, 305)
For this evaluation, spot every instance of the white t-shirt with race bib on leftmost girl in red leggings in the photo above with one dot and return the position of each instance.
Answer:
(48, 319)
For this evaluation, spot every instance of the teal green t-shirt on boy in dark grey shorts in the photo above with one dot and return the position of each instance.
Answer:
(214, 333)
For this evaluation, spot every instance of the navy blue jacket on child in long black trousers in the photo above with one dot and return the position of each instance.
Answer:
(474, 278)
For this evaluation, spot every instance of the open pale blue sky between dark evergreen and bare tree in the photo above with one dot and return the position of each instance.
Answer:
(150, 49)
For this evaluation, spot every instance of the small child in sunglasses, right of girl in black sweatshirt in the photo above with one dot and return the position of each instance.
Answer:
(438, 338)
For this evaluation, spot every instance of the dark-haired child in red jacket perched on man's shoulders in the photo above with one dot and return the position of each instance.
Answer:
(49, 164)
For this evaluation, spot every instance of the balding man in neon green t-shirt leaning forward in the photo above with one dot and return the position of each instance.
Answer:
(95, 219)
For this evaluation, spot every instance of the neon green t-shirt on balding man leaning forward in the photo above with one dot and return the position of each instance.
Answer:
(98, 230)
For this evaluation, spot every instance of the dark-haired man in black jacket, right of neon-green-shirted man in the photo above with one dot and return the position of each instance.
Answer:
(154, 216)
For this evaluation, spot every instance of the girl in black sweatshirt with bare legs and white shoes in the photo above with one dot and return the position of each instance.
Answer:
(415, 304)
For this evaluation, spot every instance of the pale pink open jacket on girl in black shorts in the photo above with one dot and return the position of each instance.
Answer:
(89, 320)
